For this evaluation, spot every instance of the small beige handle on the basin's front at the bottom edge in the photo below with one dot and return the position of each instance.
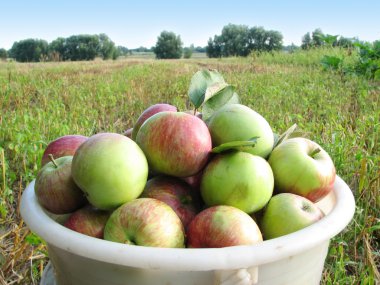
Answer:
(244, 276)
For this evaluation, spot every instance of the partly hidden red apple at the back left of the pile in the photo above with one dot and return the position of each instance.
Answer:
(62, 146)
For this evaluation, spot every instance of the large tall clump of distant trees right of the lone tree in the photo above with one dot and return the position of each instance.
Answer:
(240, 40)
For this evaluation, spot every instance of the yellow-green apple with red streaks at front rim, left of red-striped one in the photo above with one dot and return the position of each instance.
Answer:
(145, 222)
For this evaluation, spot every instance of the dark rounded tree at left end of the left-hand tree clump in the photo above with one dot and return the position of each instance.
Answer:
(30, 50)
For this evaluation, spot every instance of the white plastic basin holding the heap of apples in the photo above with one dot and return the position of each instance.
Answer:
(294, 259)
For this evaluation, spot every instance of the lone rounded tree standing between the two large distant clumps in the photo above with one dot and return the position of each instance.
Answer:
(169, 45)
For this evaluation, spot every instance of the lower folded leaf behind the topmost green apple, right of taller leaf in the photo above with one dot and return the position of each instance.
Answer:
(223, 96)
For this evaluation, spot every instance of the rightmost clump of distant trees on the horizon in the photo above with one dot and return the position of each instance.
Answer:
(318, 39)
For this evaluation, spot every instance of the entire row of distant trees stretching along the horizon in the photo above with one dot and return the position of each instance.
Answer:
(234, 40)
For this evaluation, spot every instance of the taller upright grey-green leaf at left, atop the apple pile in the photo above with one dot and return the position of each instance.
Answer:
(200, 81)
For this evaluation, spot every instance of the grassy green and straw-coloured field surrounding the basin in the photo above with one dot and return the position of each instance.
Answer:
(40, 102)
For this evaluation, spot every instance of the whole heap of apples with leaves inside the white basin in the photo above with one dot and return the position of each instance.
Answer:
(187, 179)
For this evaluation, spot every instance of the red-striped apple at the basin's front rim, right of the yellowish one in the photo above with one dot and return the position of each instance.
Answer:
(222, 226)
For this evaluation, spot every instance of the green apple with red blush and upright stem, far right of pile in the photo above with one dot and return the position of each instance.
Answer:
(302, 167)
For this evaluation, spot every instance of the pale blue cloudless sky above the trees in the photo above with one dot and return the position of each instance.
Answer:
(138, 23)
